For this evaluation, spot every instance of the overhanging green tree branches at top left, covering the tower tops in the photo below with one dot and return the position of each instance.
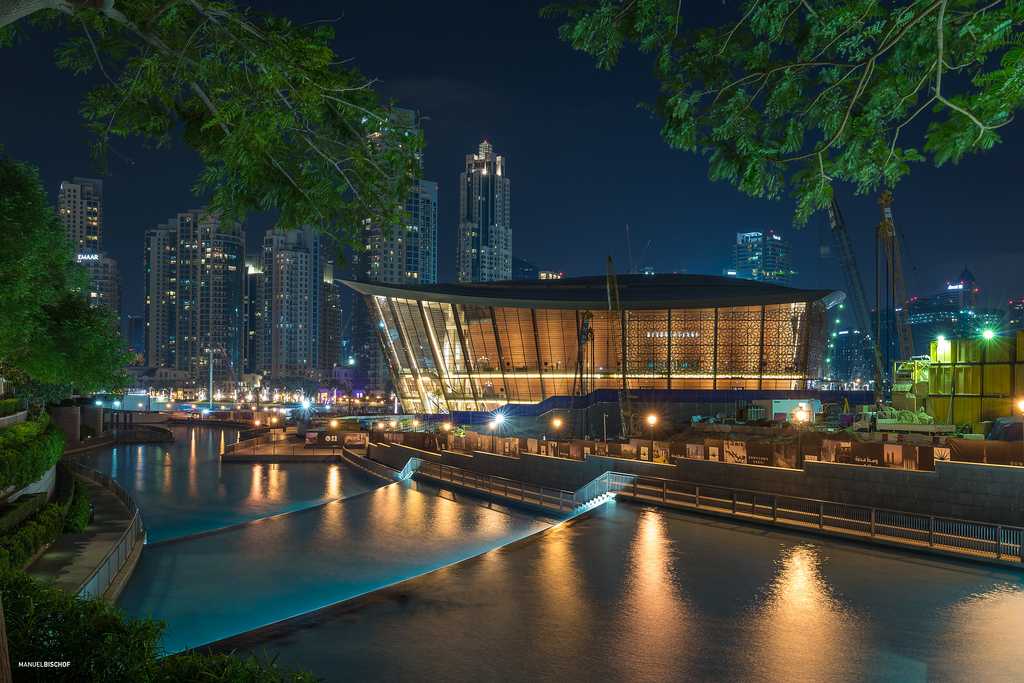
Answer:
(280, 121)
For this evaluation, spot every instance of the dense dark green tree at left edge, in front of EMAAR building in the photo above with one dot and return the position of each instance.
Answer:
(52, 343)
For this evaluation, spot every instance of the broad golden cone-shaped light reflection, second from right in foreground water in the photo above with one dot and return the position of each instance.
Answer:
(799, 629)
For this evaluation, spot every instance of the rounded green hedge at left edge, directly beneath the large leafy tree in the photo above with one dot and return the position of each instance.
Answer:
(28, 450)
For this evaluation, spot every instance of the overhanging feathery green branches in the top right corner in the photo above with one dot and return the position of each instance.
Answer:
(790, 97)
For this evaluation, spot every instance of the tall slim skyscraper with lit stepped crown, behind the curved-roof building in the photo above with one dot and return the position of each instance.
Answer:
(485, 219)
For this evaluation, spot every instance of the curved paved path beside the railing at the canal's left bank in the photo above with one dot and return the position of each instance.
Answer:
(73, 558)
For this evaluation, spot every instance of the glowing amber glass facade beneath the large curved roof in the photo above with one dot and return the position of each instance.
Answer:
(473, 357)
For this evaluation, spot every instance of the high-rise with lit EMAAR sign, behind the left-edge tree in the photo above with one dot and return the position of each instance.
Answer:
(80, 206)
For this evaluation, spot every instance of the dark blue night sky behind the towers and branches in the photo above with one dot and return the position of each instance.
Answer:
(584, 160)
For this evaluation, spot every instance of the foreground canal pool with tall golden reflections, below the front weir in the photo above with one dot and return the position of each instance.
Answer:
(646, 594)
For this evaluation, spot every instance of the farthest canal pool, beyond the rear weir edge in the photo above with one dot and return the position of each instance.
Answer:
(184, 489)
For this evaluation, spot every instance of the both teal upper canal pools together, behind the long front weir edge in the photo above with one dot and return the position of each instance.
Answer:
(298, 537)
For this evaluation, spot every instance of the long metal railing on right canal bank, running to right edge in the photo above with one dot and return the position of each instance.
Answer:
(957, 537)
